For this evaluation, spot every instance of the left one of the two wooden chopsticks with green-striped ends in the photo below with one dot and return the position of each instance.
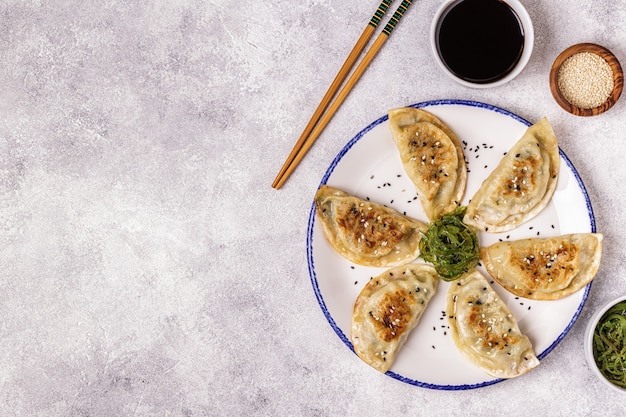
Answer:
(332, 90)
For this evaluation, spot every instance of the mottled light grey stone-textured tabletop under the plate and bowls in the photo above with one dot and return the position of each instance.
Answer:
(147, 268)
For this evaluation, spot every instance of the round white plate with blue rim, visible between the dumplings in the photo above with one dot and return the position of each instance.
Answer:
(369, 166)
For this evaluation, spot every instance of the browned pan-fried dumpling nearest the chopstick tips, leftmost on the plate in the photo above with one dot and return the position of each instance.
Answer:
(367, 233)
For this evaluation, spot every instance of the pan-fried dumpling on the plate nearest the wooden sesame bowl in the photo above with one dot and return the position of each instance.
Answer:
(521, 185)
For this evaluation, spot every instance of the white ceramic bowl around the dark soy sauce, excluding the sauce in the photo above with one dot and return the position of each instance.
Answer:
(529, 40)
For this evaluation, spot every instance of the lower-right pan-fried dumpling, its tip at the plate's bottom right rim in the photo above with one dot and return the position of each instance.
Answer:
(484, 329)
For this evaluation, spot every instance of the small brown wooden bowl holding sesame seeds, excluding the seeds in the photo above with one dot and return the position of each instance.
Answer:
(618, 78)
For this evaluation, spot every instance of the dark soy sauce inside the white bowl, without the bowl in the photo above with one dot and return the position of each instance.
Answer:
(480, 41)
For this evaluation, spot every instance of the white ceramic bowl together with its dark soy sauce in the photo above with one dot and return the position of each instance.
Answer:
(482, 43)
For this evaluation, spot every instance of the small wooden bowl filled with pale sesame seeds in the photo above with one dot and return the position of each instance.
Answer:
(586, 79)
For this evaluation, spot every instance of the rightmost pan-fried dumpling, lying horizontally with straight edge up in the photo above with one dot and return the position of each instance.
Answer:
(545, 269)
